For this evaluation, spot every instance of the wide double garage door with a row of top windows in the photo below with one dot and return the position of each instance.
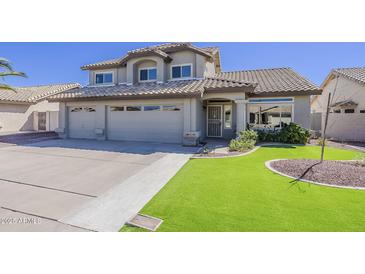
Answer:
(146, 123)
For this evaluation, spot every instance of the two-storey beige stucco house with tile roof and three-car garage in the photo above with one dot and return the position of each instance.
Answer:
(177, 93)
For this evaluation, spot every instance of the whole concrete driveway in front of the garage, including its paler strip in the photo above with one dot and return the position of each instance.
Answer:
(81, 185)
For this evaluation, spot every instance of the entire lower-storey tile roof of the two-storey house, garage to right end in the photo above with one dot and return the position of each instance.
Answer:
(264, 81)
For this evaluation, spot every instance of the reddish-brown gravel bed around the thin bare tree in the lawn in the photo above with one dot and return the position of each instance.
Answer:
(339, 173)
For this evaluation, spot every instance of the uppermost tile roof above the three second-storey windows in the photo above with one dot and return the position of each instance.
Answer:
(162, 51)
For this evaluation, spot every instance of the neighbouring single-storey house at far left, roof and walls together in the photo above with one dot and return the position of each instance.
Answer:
(27, 108)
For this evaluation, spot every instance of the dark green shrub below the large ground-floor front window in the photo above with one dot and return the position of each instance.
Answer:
(291, 134)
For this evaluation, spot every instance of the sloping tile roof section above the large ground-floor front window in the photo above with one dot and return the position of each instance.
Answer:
(273, 80)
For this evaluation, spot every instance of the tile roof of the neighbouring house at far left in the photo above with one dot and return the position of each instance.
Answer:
(35, 93)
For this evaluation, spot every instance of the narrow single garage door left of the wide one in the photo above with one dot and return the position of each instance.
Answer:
(81, 122)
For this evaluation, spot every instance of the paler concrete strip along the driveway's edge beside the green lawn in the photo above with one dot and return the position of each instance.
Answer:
(110, 211)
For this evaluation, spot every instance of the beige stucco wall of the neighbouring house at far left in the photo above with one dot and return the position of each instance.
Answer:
(23, 117)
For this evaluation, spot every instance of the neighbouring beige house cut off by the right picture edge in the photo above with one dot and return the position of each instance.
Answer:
(346, 120)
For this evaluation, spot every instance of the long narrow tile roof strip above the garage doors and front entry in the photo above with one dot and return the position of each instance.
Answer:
(184, 88)
